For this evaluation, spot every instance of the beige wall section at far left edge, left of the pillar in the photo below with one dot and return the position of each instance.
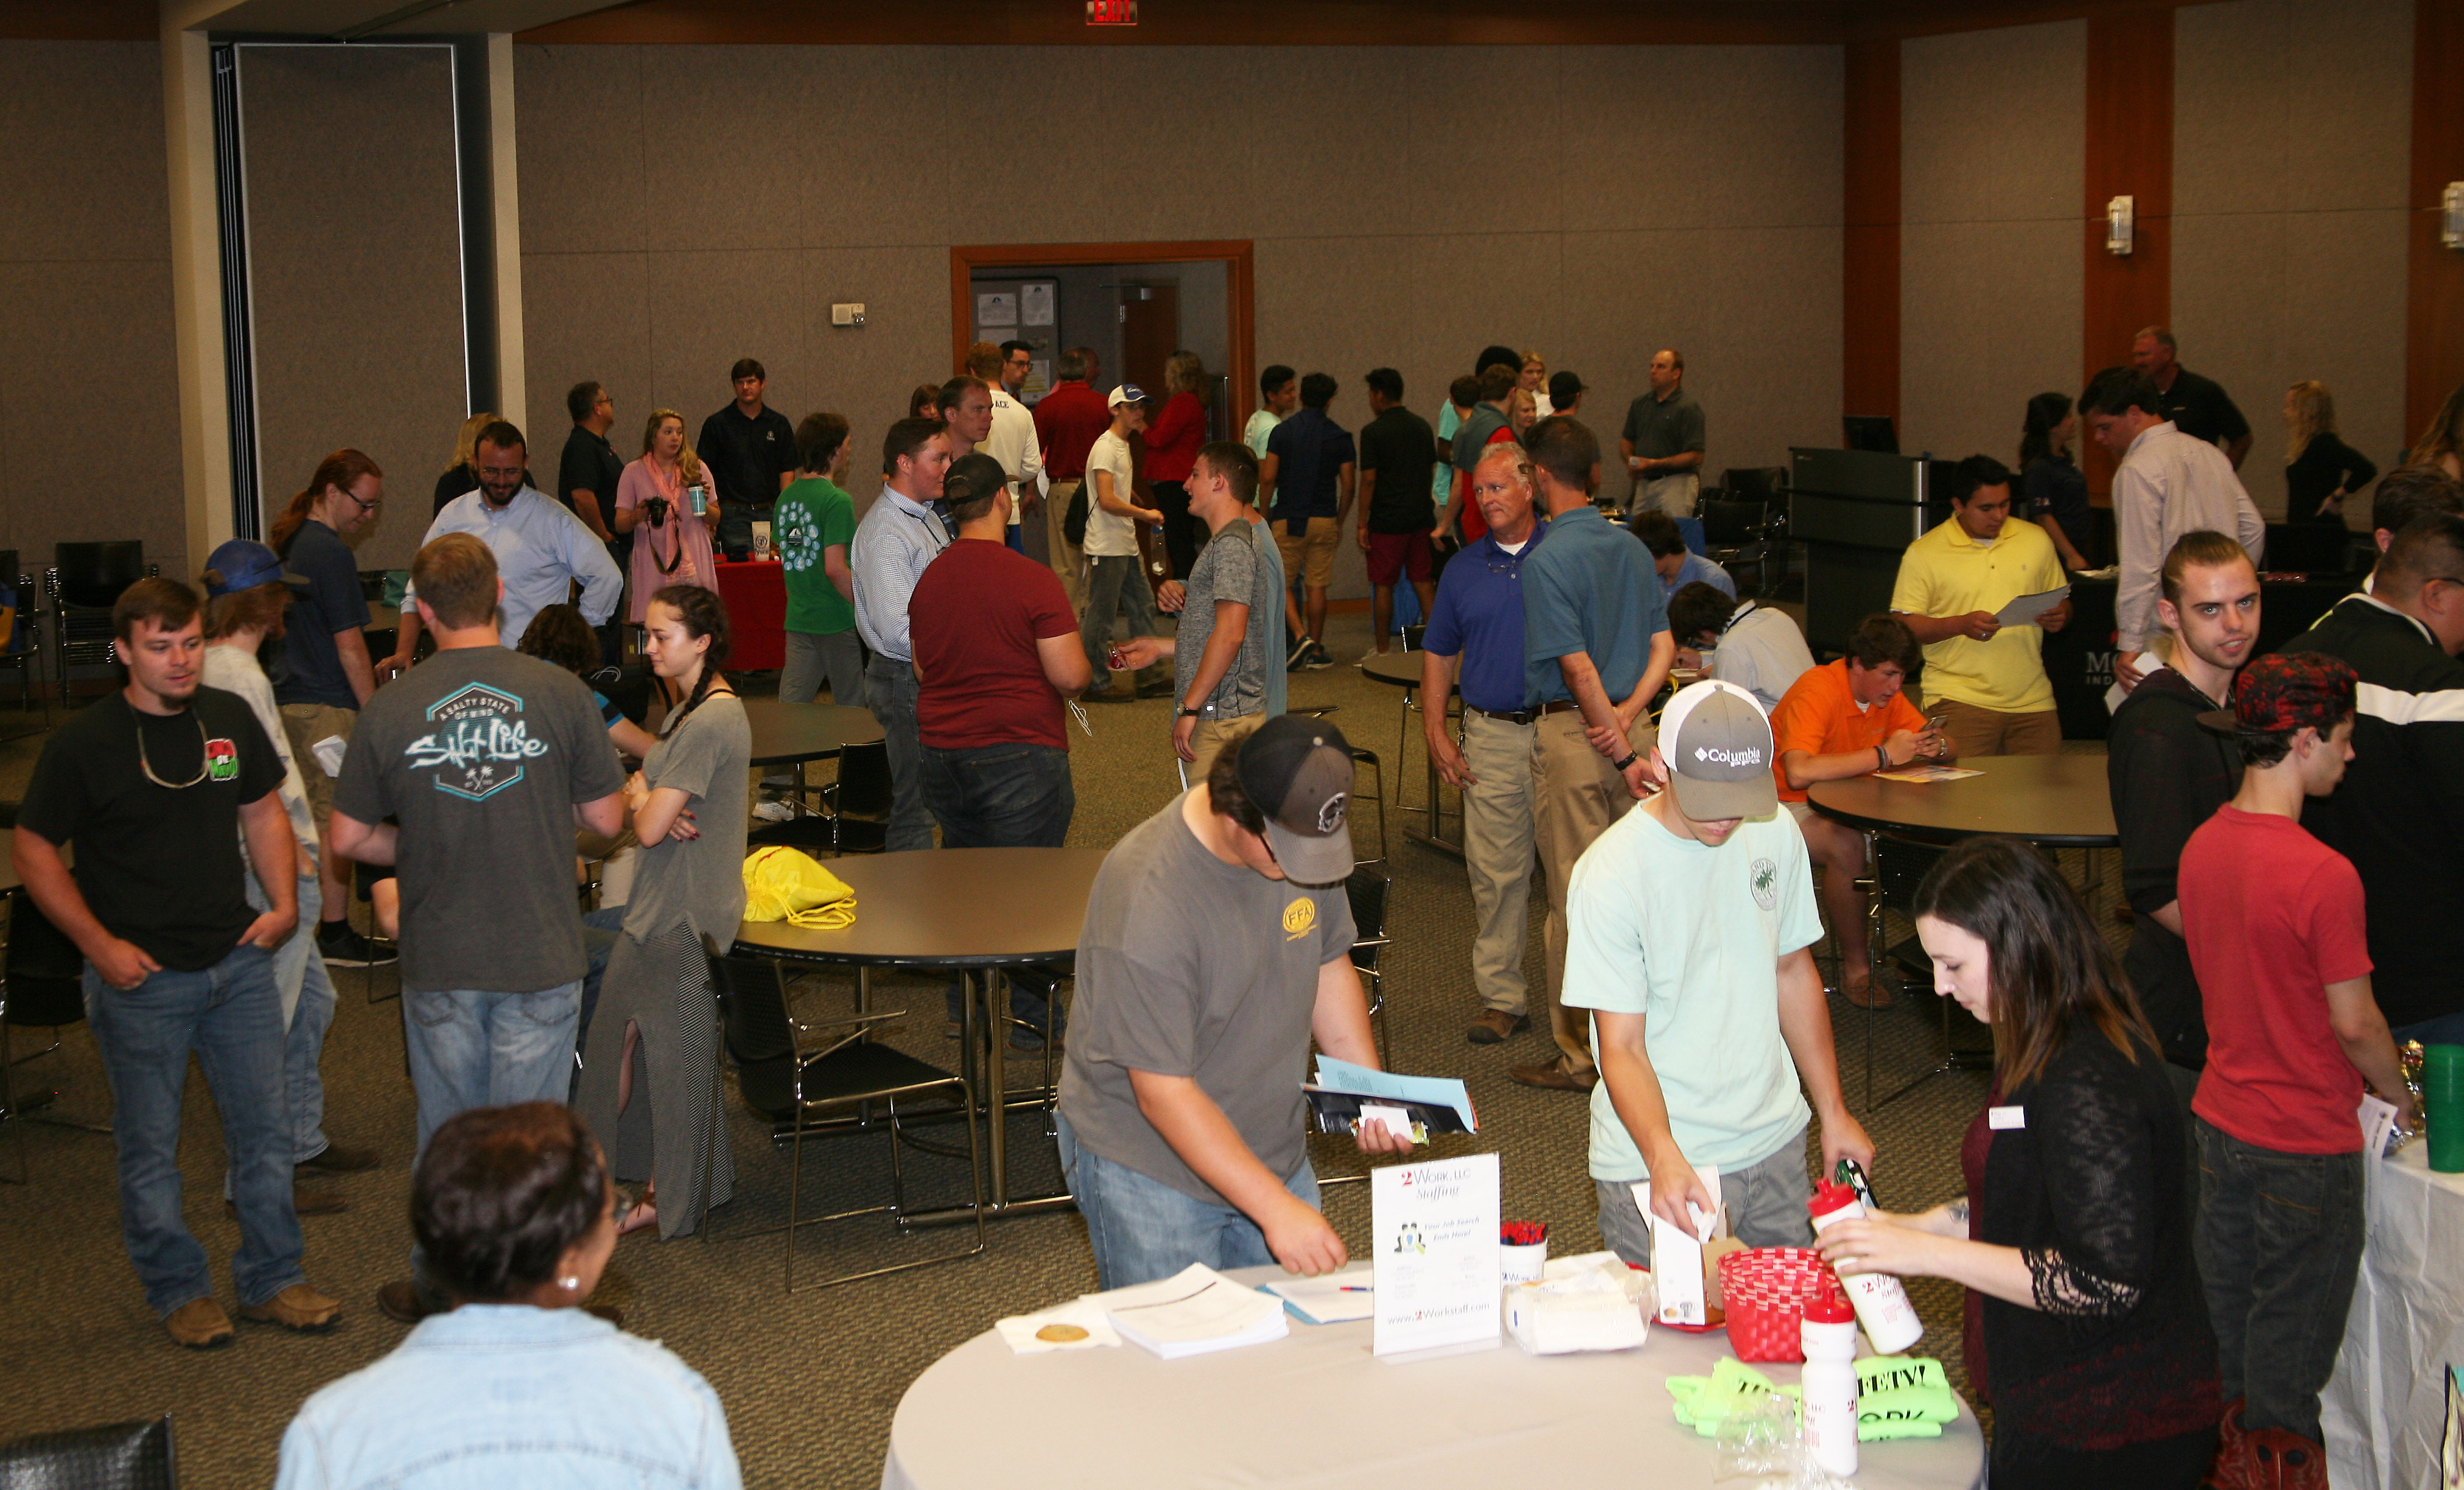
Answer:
(90, 405)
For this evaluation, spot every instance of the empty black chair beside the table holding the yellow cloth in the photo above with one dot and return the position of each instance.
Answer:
(802, 1073)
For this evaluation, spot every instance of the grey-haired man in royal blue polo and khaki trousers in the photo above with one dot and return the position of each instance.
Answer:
(1477, 639)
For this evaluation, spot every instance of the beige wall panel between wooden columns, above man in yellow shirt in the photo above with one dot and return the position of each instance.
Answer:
(1992, 166)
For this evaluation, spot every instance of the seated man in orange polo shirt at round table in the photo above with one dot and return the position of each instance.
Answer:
(1847, 720)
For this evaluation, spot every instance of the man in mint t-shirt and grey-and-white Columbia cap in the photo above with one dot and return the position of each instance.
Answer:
(1692, 927)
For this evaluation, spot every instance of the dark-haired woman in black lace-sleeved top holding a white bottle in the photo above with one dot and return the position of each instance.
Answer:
(2096, 1334)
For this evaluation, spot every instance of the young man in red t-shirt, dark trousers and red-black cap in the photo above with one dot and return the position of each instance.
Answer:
(2276, 930)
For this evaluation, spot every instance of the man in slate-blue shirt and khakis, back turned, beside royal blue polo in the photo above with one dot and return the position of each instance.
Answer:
(1595, 651)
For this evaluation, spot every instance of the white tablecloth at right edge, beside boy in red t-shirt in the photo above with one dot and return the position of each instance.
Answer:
(2386, 1407)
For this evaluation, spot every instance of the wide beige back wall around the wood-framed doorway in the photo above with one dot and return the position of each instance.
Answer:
(1682, 196)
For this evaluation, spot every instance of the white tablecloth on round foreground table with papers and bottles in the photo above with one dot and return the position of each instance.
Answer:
(1319, 1410)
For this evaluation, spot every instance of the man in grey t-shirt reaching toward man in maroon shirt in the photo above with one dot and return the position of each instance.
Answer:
(1228, 607)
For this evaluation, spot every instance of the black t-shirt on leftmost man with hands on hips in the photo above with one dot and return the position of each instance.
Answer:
(159, 866)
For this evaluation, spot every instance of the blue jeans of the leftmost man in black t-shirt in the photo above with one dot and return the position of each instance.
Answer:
(233, 1021)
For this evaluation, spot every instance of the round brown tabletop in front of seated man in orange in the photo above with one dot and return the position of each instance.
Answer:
(2056, 802)
